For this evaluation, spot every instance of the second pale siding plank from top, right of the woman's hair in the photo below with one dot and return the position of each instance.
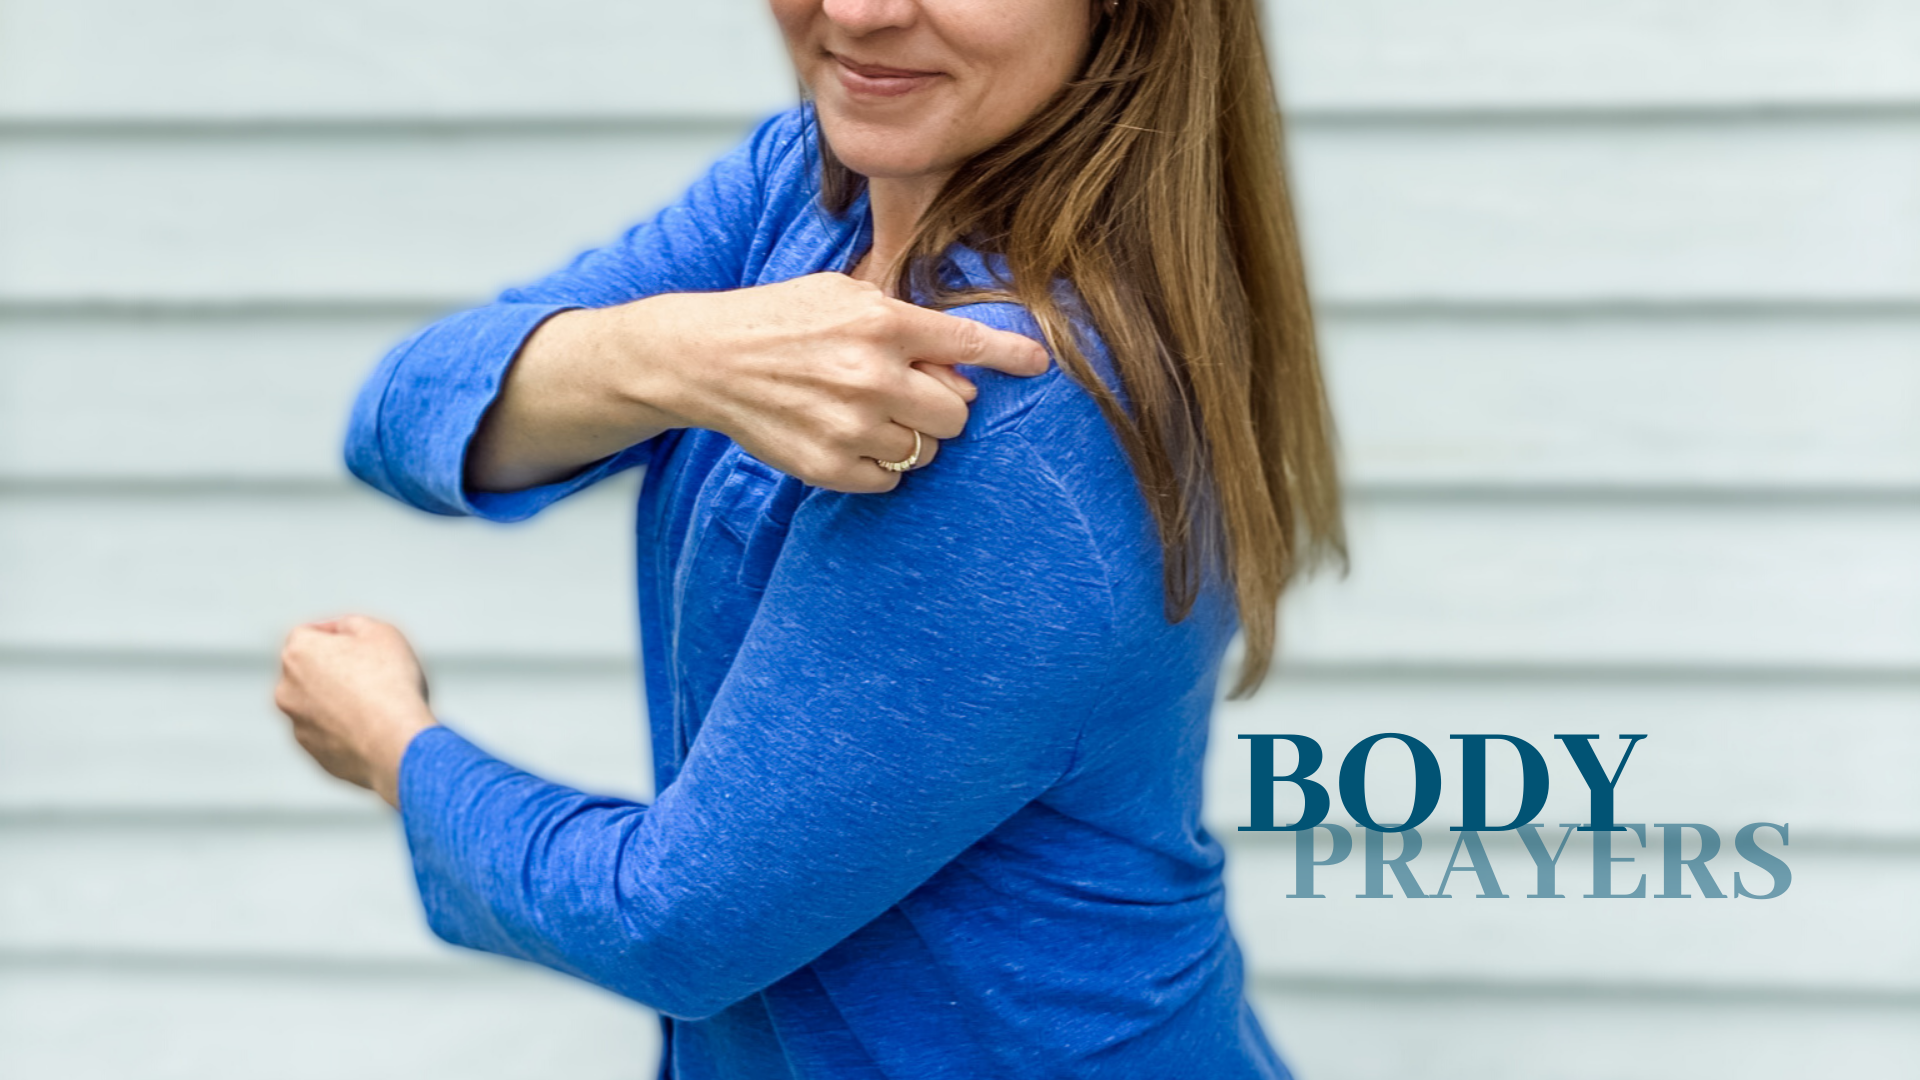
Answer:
(1614, 212)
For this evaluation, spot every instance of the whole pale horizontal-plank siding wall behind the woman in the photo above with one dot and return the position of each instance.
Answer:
(1623, 320)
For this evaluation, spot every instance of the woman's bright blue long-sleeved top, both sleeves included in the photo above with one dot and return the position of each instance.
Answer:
(928, 762)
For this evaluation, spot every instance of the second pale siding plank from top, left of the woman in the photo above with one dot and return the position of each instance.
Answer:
(350, 218)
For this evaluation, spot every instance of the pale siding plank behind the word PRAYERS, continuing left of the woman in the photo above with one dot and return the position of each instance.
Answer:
(343, 895)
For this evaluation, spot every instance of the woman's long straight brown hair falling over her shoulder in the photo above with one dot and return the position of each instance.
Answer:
(1155, 185)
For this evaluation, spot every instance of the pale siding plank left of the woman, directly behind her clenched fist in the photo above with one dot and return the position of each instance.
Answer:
(89, 739)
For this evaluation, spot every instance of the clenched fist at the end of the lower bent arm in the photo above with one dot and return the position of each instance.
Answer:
(356, 697)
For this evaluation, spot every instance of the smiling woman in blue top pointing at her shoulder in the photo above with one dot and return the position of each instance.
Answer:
(930, 650)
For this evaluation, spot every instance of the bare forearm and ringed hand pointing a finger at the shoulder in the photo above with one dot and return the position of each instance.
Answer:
(819, 378)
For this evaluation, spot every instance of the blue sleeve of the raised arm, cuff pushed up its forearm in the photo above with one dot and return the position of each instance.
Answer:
(423, 405)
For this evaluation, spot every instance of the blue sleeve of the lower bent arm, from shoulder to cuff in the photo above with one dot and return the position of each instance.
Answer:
(921, 668)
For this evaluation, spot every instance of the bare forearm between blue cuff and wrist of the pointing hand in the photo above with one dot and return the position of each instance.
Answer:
(587, 385)
